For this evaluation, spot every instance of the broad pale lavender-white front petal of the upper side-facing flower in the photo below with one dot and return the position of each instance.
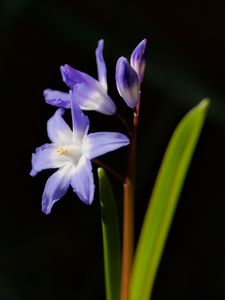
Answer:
(89, 98)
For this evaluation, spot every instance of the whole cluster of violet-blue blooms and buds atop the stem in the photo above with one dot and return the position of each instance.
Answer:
(71, 151)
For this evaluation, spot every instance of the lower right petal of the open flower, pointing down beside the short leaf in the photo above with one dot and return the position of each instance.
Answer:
(82, 181)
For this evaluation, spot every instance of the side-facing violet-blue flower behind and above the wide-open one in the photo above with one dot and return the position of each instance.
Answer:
(89, 93)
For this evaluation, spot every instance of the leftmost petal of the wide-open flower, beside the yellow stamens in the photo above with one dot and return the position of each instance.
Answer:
(46, 157)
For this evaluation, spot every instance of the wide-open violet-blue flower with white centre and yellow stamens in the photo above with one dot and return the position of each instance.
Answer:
(71, 152)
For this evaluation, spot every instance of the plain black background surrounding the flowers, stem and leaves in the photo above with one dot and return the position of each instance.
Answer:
(60, 256)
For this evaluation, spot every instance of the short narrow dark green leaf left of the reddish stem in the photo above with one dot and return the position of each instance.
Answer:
(111, 237)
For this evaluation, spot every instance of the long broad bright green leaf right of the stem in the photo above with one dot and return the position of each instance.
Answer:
(163, 201)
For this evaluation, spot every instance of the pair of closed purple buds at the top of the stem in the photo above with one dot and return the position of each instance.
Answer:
(130, 76)
